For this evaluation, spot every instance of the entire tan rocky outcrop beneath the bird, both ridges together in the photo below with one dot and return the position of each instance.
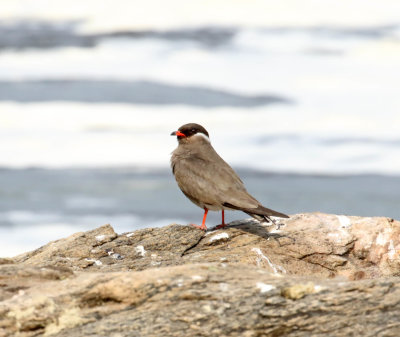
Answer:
(319, 275)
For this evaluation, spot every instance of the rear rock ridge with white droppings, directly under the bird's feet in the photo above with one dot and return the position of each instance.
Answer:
(308, 244)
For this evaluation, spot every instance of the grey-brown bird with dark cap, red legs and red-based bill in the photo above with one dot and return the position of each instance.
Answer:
(208, 181)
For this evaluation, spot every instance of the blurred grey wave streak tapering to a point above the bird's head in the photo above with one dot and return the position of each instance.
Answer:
(131, 92)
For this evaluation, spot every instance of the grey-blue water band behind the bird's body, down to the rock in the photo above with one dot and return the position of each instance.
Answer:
(39, 205)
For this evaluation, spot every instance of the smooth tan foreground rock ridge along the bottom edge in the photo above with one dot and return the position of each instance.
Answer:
(203, 300)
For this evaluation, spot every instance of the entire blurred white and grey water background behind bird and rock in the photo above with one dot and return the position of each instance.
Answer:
(301, 97)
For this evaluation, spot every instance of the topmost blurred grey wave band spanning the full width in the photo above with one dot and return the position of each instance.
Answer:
(26, 34)
